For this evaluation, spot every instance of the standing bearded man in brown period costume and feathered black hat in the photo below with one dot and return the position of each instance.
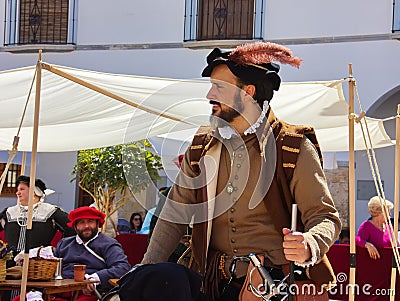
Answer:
(255, 166)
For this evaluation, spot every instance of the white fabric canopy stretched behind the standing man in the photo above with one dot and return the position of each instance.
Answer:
(73, 117)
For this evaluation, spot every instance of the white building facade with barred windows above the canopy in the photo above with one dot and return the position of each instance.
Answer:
(172, 38)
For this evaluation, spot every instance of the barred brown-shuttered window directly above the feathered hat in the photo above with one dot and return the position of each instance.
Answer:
(223, 20)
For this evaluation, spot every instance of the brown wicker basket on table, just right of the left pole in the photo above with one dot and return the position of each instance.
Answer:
(40, 268)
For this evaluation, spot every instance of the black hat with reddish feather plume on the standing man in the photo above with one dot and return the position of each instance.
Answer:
(252, 61)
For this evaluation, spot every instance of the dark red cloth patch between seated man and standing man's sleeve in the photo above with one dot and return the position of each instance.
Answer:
(134, 246)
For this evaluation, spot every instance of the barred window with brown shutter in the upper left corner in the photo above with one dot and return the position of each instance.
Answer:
(39, 22)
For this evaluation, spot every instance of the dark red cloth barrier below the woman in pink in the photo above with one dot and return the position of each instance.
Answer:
(372, 276)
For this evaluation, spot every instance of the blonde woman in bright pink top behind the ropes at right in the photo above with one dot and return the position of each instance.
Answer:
(375, 233)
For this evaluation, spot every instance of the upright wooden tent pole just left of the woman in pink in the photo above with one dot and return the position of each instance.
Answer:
(352, 278)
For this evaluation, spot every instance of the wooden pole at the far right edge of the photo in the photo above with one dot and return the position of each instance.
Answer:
(396, 204)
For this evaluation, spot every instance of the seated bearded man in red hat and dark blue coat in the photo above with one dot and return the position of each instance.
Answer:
(102, 255)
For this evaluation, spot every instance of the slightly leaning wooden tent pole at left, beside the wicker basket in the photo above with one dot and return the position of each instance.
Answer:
(32, 175)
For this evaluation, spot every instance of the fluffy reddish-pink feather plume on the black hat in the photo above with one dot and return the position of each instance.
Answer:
(263, 53)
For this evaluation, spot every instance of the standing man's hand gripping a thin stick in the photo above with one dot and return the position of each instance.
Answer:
(294, 246)
